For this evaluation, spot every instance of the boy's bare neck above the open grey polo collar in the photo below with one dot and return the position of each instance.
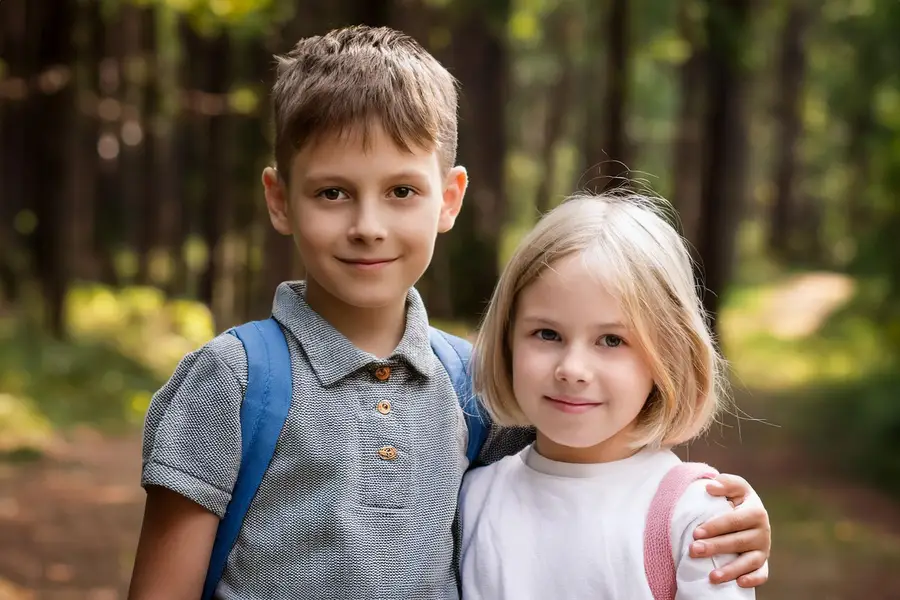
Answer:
(375, 330)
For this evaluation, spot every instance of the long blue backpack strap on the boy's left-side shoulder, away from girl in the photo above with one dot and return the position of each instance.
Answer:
(263, 413)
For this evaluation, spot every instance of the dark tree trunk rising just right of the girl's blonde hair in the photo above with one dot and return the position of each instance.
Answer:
(725, 179)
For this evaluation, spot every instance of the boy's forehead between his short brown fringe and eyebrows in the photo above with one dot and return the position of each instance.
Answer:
(362, 150)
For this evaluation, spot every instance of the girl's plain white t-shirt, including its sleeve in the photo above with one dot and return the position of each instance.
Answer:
(539, 529)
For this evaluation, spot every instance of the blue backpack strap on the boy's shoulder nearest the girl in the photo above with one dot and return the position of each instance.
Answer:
(455, 353)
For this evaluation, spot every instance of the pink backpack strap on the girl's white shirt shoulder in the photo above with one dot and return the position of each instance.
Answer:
(659, 565)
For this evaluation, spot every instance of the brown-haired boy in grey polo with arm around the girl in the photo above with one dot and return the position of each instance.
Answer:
(360, 497)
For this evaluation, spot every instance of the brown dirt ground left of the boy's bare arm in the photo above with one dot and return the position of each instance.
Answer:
(69, 522)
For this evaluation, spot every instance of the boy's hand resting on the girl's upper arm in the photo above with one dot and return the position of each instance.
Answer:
(745, 531)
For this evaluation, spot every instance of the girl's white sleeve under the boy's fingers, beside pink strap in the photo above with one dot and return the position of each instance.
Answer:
(695, 507)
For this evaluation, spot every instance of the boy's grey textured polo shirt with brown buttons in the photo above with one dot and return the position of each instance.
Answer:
(360, 498)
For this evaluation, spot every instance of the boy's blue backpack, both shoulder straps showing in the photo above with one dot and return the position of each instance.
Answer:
(264, 411)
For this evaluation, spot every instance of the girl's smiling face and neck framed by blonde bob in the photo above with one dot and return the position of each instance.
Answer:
(578, 374)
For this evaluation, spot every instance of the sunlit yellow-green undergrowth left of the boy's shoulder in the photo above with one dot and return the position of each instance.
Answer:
(122, 346)
